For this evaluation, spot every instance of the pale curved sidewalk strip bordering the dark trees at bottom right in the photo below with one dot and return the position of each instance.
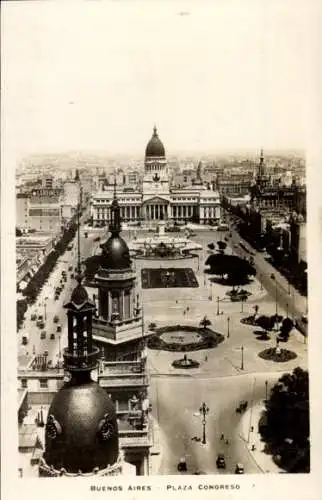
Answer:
(251, 419)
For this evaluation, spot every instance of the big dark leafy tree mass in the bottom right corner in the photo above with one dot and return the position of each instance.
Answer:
(286, 430)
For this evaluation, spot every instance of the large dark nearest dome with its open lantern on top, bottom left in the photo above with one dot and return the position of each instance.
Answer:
(81, 433)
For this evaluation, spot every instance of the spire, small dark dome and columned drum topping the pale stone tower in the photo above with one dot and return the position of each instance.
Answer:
(118, 320)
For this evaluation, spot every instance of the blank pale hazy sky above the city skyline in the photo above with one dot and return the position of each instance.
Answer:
(96, 76)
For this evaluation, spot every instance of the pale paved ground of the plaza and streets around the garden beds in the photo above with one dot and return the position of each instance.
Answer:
(225, 374)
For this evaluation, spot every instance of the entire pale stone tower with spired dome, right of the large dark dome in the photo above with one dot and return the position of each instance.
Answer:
(118, 333)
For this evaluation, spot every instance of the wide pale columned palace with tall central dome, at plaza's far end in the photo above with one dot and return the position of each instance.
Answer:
(155, 197)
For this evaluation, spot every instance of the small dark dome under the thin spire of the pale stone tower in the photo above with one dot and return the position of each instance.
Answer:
(116, 253)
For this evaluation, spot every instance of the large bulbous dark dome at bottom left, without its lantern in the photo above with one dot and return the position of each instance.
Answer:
(81, 431)
